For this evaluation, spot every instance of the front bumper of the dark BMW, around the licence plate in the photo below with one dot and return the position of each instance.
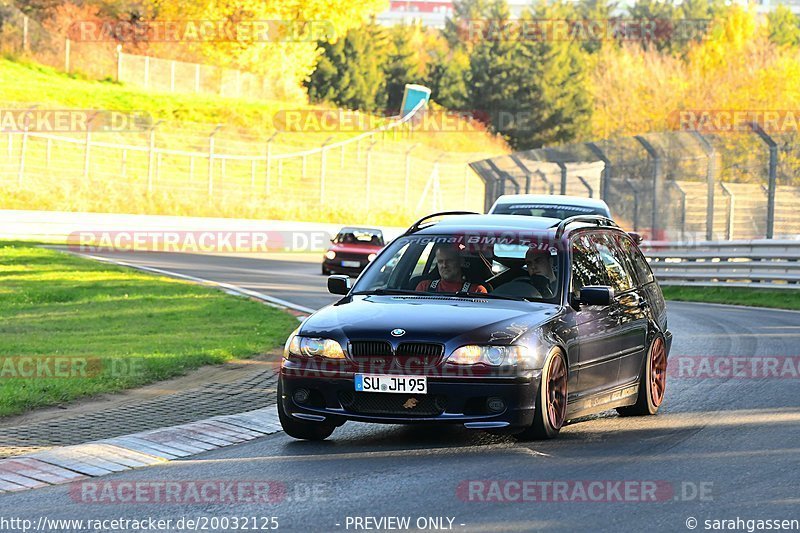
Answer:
(461, 400)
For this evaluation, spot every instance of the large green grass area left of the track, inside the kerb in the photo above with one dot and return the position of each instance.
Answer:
(123, 328)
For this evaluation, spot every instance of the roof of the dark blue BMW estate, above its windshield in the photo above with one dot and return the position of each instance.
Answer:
(500, 223)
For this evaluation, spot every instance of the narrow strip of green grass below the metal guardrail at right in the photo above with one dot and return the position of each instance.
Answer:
(775, 298)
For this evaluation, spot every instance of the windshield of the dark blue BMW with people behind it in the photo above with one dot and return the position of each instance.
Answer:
(516, 267)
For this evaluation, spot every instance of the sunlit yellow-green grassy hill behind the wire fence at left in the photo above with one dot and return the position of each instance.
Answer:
(53, 176)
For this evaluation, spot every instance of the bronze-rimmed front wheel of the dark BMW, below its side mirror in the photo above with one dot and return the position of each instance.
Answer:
(551, 400)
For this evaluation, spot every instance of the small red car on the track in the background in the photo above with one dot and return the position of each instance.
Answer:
(352, 250)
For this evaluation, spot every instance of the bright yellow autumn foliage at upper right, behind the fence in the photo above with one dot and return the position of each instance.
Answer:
(736, 67)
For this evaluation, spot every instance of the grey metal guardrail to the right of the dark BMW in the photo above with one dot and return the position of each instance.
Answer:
(764, 263)
